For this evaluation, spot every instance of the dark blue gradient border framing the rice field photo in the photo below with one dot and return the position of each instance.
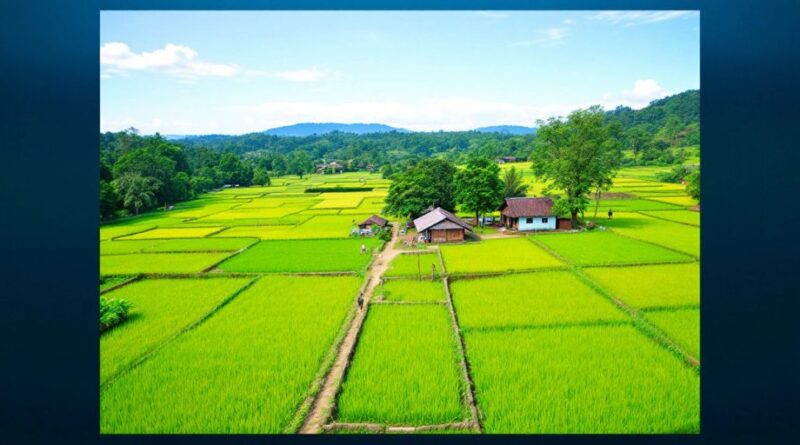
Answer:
(49, 115)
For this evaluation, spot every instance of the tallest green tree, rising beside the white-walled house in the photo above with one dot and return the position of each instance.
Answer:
(576, 155)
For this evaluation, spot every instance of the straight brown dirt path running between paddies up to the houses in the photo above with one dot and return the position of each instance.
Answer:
(323, 403)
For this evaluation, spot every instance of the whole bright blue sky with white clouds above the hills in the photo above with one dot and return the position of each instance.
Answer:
(236, 72)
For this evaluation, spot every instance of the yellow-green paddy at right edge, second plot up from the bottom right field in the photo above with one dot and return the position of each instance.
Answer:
(644, 287)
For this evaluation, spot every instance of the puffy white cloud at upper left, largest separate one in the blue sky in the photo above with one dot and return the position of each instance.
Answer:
(177, 60)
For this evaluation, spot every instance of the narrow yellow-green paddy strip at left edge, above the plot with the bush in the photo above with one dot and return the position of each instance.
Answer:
(158, 263)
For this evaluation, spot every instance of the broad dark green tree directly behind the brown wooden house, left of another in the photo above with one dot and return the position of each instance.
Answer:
(429, 183)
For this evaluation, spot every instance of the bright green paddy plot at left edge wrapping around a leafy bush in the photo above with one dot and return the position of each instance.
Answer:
(161, 308)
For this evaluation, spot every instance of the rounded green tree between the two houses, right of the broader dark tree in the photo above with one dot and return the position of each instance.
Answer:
(478, 187)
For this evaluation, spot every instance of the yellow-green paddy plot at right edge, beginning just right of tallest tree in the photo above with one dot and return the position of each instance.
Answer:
(676, 236)
